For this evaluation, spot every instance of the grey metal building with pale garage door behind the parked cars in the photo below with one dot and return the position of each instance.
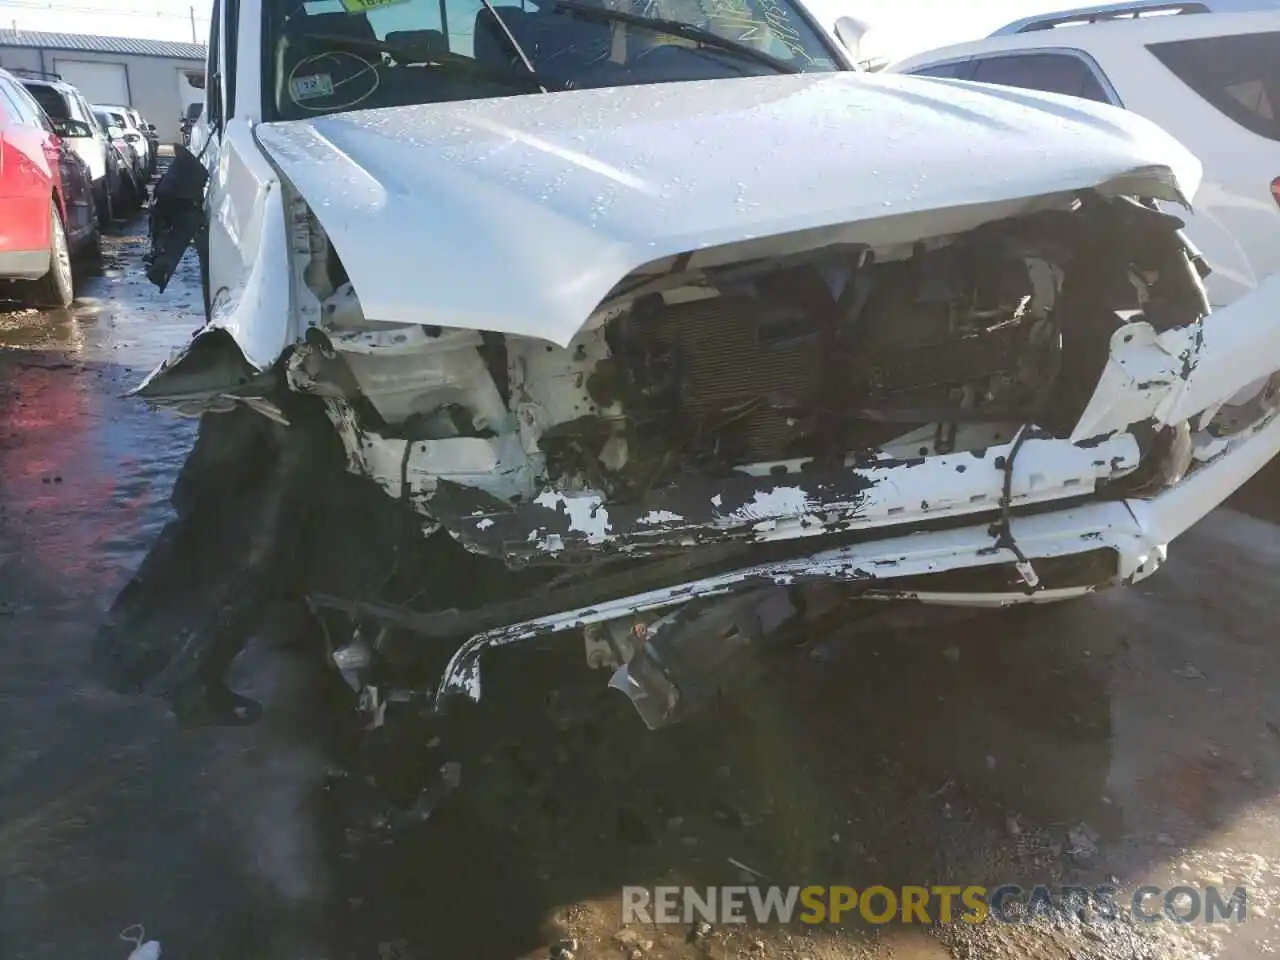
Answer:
(152, 76)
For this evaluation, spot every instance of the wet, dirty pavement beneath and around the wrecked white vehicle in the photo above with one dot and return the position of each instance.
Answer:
(1135, 735)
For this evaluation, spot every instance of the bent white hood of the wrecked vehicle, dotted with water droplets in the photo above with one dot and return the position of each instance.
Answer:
(520, 214)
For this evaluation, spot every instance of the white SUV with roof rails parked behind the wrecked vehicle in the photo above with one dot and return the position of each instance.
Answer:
(1208, 76)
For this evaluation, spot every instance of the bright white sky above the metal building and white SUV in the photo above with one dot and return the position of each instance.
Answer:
(902, 28)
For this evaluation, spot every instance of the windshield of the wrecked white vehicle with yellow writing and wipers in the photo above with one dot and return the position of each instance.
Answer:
(330, 56)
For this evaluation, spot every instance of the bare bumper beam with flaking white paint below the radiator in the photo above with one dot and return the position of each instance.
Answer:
(804, 504)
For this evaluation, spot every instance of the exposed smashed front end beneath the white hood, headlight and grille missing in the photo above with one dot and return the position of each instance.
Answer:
(851, 356)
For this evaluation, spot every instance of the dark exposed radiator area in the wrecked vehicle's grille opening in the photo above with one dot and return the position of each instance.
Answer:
(811, 364)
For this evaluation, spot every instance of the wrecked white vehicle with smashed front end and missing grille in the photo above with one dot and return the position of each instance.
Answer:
(664, 330)
